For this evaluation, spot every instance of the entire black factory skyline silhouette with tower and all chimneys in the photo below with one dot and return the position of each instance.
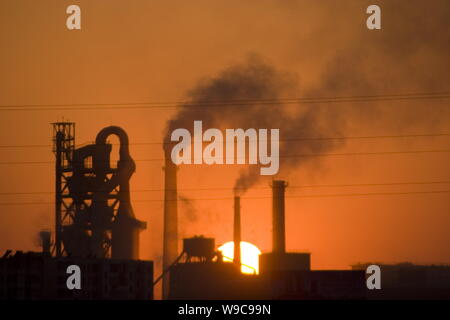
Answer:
(97, 230)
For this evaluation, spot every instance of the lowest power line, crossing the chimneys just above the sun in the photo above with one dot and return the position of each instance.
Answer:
(266, 197)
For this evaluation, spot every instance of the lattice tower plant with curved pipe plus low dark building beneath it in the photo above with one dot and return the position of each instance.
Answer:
(95, 228)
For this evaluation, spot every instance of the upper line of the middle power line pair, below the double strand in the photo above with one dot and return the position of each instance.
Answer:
(286, 140)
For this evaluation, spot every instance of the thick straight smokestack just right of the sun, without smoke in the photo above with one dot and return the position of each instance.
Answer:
(278, 224)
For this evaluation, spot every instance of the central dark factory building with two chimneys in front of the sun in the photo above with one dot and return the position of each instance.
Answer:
(282, 275)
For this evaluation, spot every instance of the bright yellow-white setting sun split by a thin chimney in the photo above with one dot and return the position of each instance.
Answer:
(249, 256)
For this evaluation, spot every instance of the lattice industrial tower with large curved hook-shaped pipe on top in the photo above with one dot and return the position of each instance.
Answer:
(93, 211)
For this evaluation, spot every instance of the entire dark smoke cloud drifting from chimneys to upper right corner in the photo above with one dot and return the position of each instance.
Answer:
(402, 58)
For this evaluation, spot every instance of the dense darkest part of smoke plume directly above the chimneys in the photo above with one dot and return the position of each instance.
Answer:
(256, 80)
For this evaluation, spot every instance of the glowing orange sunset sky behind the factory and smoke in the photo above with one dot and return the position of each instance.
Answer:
(142, 51)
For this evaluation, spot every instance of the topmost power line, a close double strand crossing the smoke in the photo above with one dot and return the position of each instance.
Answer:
(229, 103)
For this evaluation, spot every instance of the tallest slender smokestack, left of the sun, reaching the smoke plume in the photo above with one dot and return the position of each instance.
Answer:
(170, 246)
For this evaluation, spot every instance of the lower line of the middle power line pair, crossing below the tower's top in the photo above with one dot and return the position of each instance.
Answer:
(285, 156)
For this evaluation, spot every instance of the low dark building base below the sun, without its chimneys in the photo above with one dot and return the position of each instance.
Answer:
(221, 280)
